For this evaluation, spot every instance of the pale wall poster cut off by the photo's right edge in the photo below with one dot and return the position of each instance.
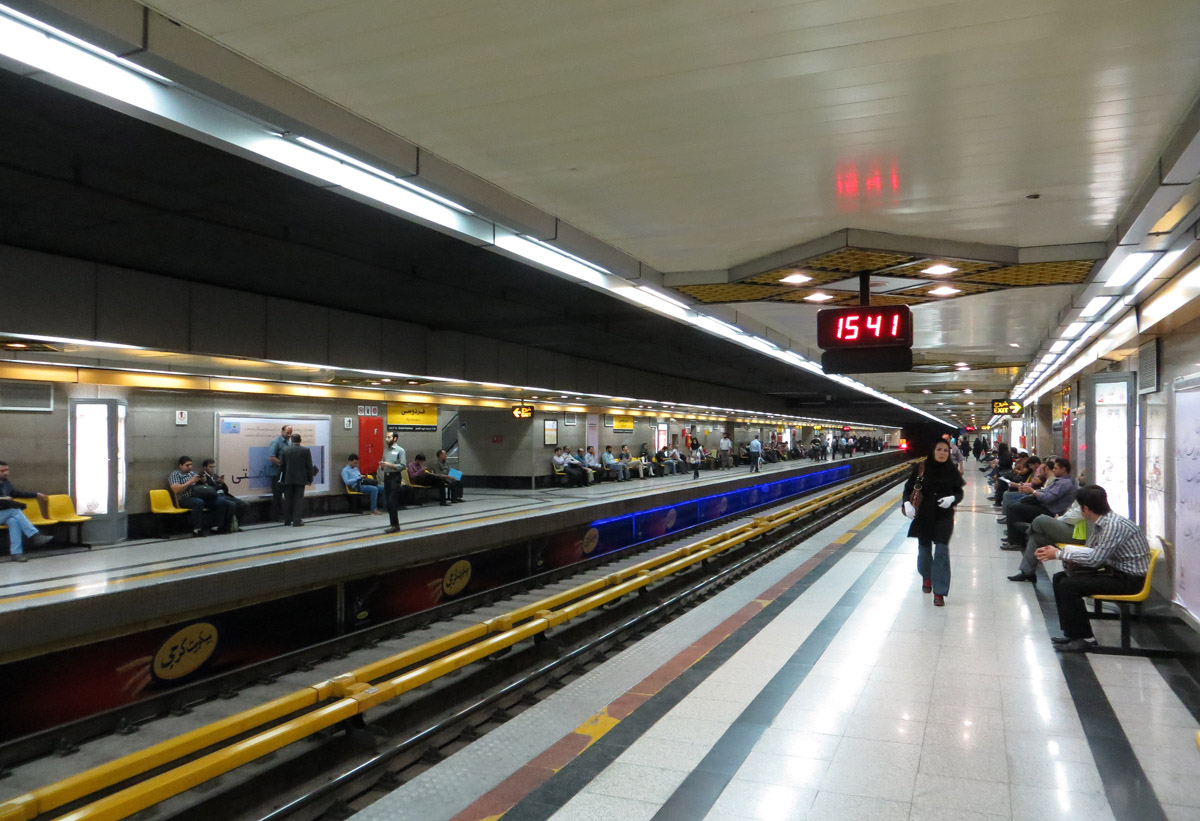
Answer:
(1187, 500)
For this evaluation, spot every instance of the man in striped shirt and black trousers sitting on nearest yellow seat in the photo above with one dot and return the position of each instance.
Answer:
(1114, 562)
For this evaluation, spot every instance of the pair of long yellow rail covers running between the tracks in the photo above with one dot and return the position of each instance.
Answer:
(355, 693)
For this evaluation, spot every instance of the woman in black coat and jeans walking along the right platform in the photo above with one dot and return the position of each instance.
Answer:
(933, 523)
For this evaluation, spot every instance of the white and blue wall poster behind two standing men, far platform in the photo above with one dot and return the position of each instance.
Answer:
(243, 445)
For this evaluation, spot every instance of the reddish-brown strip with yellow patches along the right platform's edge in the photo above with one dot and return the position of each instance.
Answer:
(538, 771)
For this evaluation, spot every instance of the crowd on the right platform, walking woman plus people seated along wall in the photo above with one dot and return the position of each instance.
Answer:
(1048, 516)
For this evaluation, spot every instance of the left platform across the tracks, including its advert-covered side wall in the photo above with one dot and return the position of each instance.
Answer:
(269, 591)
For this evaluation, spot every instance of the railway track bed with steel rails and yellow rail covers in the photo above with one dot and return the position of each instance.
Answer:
(328, 750)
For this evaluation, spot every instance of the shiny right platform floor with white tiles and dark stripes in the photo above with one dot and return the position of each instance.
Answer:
(826, 686)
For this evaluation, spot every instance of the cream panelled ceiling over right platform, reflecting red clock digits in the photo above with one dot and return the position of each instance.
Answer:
(704, 135)
